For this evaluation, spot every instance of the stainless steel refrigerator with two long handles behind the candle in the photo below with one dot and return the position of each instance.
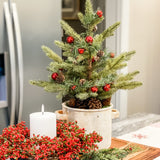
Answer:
(26, 25)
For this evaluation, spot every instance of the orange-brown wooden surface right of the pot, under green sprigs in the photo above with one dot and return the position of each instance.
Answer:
(145, 153)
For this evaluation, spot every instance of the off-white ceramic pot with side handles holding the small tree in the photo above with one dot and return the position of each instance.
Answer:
(99, 120)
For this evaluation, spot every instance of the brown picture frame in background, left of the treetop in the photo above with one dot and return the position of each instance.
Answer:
(70, 8)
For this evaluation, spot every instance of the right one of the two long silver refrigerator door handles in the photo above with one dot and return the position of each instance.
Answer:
(18, 46)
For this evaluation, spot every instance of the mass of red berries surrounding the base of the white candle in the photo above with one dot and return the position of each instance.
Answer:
(70, 141)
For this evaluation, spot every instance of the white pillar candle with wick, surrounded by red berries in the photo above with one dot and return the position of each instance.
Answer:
(43, 124)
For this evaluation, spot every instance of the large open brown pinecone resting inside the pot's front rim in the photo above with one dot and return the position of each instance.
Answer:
(94, 103)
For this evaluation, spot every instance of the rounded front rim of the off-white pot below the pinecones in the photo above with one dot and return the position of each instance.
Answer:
(87, 110)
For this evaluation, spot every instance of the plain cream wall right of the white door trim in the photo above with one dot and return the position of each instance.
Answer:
(145, 39)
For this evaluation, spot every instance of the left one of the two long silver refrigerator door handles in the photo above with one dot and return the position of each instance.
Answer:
(9, 27)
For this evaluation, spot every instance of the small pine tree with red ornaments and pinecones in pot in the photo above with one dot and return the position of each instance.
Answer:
(88, 75)
